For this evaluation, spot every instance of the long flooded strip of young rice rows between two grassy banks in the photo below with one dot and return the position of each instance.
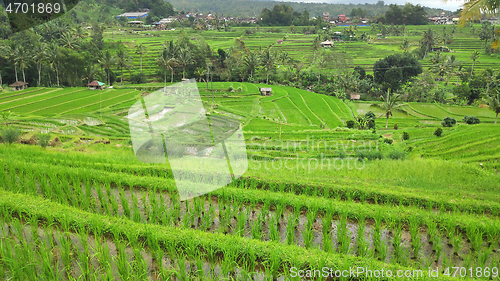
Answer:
(403, 242)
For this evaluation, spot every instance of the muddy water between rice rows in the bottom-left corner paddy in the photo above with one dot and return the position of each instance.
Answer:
(96, 263)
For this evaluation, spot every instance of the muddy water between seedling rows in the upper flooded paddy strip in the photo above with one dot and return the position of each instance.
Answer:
(216, 212)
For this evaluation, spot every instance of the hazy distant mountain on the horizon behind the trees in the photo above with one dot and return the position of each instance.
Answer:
(247, 8)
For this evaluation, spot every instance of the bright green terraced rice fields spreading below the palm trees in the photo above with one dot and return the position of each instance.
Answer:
(315, 194)
